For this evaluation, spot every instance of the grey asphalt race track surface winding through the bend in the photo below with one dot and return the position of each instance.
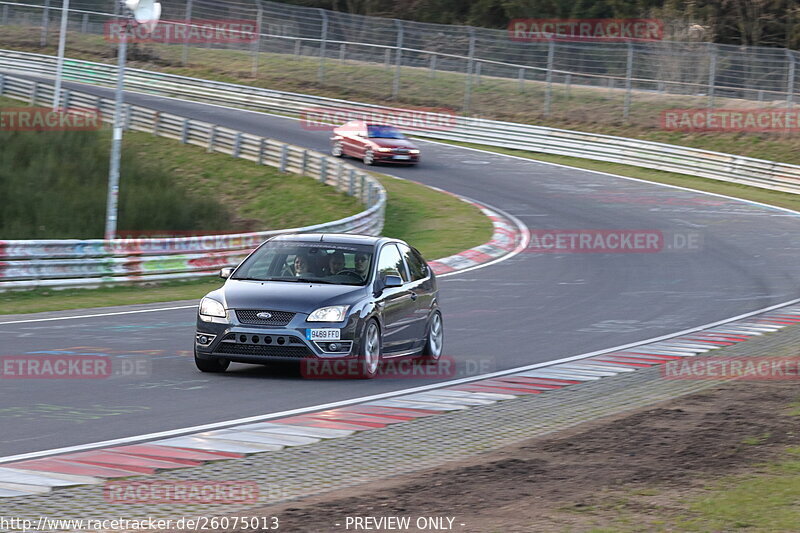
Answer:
(531, 308)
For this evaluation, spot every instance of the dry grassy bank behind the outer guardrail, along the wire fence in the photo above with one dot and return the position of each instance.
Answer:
(596, 110)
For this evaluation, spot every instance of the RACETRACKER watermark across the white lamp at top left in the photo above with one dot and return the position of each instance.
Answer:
(184, 31)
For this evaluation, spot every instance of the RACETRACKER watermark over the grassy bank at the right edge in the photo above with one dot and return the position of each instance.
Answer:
(746, 120)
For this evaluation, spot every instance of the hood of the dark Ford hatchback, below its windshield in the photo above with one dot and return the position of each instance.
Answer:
(287, 296)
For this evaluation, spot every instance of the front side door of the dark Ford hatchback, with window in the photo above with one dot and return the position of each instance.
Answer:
(396, 304)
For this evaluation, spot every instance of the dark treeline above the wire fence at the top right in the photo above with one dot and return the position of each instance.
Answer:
(738, 22)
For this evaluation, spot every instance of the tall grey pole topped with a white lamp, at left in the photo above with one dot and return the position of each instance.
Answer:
(146, 13)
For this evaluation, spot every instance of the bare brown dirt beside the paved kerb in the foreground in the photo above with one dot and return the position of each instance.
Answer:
(648, 457)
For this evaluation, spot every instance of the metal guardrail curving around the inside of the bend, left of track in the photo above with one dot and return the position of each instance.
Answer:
(64, 263)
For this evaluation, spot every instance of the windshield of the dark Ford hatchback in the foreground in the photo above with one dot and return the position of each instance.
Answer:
(308, 262)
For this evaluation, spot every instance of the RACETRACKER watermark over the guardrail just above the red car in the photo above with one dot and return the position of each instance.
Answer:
(428, 119)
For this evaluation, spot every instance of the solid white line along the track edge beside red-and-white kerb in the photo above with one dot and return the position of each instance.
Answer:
(342, 403)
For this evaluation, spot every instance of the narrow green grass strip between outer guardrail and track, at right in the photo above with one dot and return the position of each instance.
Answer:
(776, 198)
